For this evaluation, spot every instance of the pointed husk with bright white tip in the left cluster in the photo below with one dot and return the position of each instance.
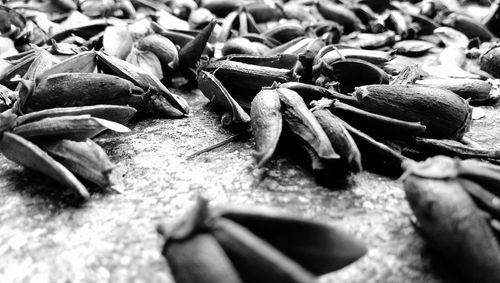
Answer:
(69, 127)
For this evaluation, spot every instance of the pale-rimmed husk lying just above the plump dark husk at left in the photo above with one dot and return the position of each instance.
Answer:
(84, 62)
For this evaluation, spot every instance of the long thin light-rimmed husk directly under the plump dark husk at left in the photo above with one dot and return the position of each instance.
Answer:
(116, 113)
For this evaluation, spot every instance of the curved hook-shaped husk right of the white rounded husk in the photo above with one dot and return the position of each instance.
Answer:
(163, 48)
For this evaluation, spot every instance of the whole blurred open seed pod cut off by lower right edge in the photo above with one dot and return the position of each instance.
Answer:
(449, 198)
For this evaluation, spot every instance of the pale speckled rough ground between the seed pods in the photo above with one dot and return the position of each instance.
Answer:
(112, 238)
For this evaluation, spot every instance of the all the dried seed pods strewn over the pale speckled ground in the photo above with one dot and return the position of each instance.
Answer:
(352, 85)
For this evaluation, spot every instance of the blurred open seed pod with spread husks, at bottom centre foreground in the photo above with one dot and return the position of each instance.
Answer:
(253, 245)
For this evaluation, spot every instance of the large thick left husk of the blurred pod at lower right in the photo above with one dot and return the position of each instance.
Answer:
(451, 221)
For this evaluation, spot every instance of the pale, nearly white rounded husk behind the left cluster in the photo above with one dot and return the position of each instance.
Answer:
(117, 41)
